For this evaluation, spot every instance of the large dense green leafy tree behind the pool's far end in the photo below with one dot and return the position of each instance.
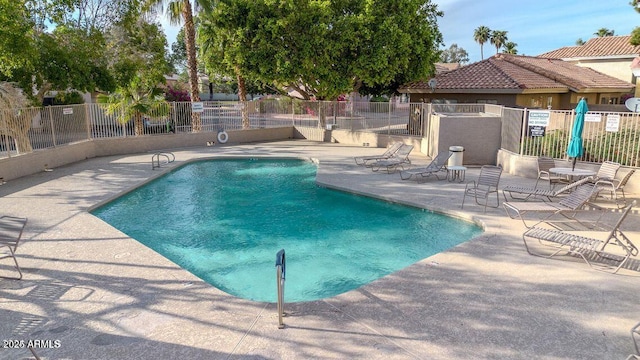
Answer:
(323, 49)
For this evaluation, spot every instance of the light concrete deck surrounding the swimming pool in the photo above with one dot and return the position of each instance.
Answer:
(102, 295)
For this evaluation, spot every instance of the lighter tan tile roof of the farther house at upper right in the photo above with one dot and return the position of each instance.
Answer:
(597, 47)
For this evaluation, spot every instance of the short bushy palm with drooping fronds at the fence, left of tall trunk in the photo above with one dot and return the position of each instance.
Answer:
(139, 98)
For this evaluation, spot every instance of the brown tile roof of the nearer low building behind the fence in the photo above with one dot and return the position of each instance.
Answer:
(515, 74)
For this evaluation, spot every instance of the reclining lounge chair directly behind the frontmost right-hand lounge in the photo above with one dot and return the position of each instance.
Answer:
(568, 207)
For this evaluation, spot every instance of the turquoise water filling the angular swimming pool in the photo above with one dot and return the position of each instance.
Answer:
(225, 220)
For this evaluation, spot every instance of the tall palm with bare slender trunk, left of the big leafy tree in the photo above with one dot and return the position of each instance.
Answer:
(180, 11)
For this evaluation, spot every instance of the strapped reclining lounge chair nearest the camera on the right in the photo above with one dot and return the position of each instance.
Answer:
(589, 248)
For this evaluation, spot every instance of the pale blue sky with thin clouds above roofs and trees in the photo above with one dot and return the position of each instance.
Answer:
(536, 26)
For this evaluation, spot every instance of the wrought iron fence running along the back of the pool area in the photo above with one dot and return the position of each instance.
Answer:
(607, 135)
